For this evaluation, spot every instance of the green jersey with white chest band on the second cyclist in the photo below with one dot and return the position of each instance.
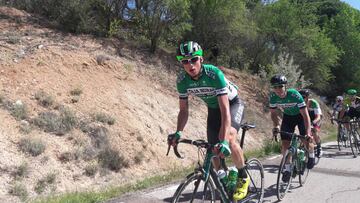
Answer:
(290, 105)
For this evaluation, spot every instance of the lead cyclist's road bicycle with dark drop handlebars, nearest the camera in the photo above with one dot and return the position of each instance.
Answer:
(205, 178)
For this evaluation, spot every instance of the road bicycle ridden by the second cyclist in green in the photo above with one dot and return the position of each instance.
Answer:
(297, 164)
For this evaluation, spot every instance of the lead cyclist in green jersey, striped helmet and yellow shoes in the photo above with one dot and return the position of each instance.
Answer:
(225, 108)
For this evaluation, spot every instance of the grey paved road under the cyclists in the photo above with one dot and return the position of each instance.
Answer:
(335, 179)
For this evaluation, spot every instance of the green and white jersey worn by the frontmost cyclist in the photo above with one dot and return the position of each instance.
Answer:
(211, 83)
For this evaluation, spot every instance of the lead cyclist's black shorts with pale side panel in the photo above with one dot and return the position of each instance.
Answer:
(214, 119)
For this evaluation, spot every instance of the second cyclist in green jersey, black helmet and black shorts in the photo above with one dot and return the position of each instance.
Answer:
(294, 114)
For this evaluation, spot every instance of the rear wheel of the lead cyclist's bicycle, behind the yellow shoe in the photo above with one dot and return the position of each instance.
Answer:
(255, 172)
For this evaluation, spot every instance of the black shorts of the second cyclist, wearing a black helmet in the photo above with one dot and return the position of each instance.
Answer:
(289, 123)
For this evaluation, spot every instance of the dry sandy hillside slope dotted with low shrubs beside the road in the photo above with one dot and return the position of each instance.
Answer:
(82, 113)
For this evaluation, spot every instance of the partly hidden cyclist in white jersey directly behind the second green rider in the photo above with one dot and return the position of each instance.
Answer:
(315, 118)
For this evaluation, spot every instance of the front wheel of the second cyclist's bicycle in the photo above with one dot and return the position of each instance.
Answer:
(283, 187)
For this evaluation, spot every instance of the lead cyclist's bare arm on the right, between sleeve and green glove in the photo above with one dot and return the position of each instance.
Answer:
(225, 117)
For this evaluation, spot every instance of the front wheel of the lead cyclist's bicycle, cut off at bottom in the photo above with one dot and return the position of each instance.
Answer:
(188, 192)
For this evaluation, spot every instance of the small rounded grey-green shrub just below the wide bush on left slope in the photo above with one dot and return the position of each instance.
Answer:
(32, 146)
